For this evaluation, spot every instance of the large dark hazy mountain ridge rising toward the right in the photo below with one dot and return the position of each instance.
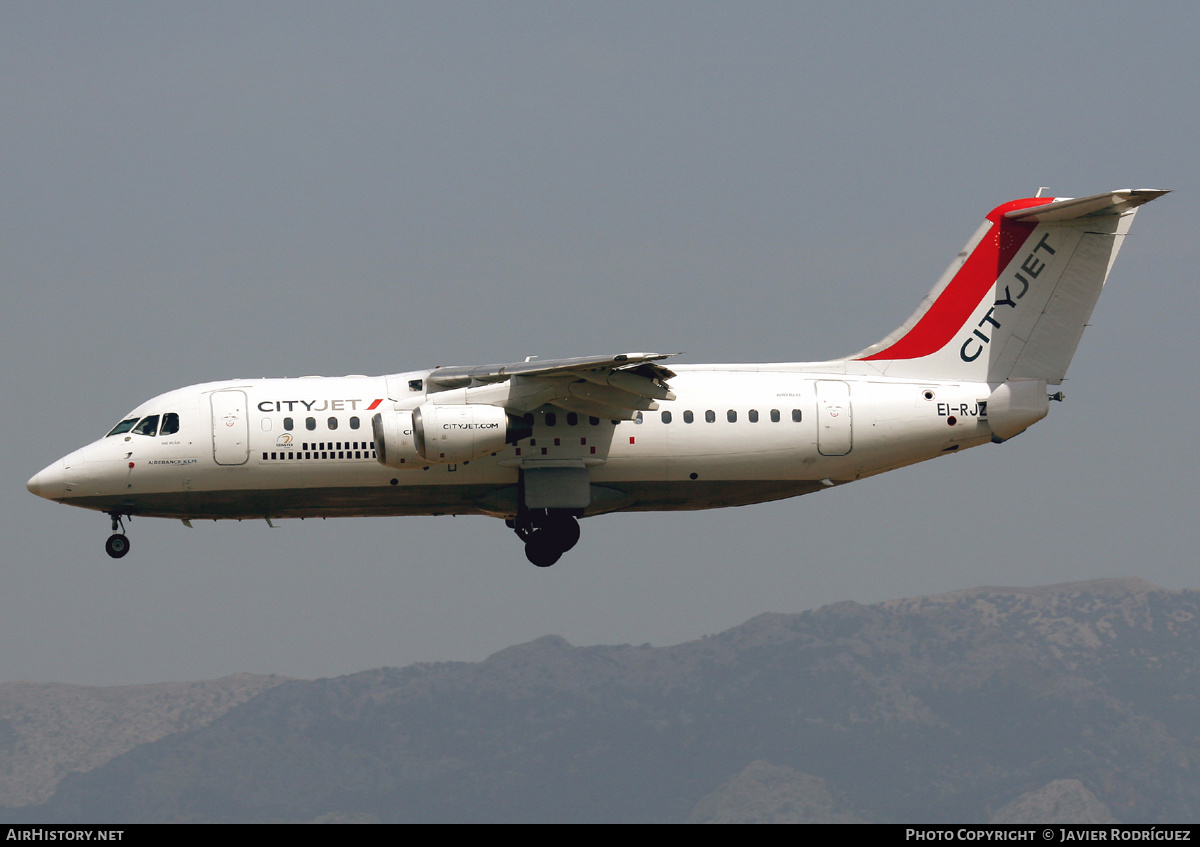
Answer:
(1047, 704)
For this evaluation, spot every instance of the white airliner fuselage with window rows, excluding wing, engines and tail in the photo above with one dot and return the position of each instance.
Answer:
(305, 448)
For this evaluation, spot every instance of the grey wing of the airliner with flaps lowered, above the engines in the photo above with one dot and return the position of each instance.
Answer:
(616, 387)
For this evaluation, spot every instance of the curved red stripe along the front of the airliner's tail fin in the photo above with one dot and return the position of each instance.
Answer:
(971, 285)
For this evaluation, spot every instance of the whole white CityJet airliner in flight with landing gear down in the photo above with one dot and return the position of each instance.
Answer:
(543, 443)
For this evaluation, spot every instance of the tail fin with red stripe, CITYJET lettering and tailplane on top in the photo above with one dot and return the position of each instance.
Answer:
(1015, 303)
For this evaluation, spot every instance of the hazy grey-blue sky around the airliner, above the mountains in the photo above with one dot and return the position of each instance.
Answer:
(206, 191)
